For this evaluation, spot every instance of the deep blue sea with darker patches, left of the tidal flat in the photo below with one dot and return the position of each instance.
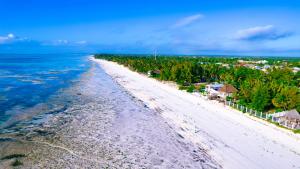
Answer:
(29, 79)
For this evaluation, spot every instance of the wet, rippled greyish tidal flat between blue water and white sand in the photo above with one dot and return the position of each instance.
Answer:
(100, 125)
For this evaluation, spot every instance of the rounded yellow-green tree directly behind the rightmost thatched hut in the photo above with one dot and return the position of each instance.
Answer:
(288, 98)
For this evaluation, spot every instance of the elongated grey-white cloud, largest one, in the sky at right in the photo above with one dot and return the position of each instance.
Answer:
(267, 32)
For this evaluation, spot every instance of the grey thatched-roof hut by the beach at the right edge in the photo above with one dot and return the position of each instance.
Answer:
(289, 119)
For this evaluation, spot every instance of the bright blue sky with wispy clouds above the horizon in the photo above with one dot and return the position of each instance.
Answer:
(190, 27)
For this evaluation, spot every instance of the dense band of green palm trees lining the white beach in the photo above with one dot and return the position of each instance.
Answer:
(276, 89)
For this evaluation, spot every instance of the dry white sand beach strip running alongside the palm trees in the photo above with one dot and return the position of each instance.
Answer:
(233, 139)
